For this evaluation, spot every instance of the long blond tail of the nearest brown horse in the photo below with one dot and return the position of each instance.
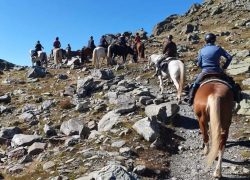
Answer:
(213, 106)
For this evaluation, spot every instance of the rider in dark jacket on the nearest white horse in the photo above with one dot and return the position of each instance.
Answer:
(169, 50)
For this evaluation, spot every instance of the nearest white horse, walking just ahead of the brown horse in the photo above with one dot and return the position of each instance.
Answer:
(176, 71)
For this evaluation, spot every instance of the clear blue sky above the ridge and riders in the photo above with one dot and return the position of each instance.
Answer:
(24, 22)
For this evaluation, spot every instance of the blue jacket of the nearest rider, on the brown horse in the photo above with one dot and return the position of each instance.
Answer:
(209, 58)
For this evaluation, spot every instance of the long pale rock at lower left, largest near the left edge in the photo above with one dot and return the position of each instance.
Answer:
(25, 140)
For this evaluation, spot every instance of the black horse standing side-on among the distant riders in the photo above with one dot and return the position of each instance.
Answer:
(118, 50)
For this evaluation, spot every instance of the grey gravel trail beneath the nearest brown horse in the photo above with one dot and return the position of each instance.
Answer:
(189, 163)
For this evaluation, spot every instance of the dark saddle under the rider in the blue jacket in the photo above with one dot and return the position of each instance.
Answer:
(216, 77)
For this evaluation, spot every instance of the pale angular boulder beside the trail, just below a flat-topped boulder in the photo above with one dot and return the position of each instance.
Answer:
(149, 129)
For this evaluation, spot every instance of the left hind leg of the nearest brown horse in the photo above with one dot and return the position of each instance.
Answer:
(204, 131)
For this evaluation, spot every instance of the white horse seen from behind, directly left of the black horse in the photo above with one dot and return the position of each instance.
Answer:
(98, 53)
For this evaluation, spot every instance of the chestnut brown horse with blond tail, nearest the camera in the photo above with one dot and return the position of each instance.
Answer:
(214, 102)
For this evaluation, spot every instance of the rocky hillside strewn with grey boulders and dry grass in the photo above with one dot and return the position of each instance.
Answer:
(79, 122)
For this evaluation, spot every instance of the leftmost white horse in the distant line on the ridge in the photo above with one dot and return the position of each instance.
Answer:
(40, 59)
